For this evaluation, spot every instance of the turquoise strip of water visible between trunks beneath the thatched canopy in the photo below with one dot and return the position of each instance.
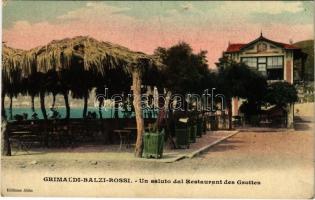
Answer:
(74, 112)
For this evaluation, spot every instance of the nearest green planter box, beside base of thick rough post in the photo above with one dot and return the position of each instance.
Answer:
(153, 140)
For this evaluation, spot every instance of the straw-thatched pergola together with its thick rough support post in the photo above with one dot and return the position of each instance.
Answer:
(90, 58)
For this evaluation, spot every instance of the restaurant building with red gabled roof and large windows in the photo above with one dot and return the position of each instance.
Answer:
(275, 60)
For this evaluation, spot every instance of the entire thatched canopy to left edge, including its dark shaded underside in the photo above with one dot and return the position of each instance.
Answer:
(98, 60)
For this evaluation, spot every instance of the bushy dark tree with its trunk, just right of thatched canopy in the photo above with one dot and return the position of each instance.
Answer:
(185, 73)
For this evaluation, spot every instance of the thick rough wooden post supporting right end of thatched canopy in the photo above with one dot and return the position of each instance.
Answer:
(136, 85)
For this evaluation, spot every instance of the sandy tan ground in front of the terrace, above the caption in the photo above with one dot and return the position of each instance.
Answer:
(258, 150)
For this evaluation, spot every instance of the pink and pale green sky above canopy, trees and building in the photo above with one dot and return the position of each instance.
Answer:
(144, 26)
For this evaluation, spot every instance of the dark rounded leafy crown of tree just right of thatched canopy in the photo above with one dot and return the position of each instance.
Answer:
(185, 71)
